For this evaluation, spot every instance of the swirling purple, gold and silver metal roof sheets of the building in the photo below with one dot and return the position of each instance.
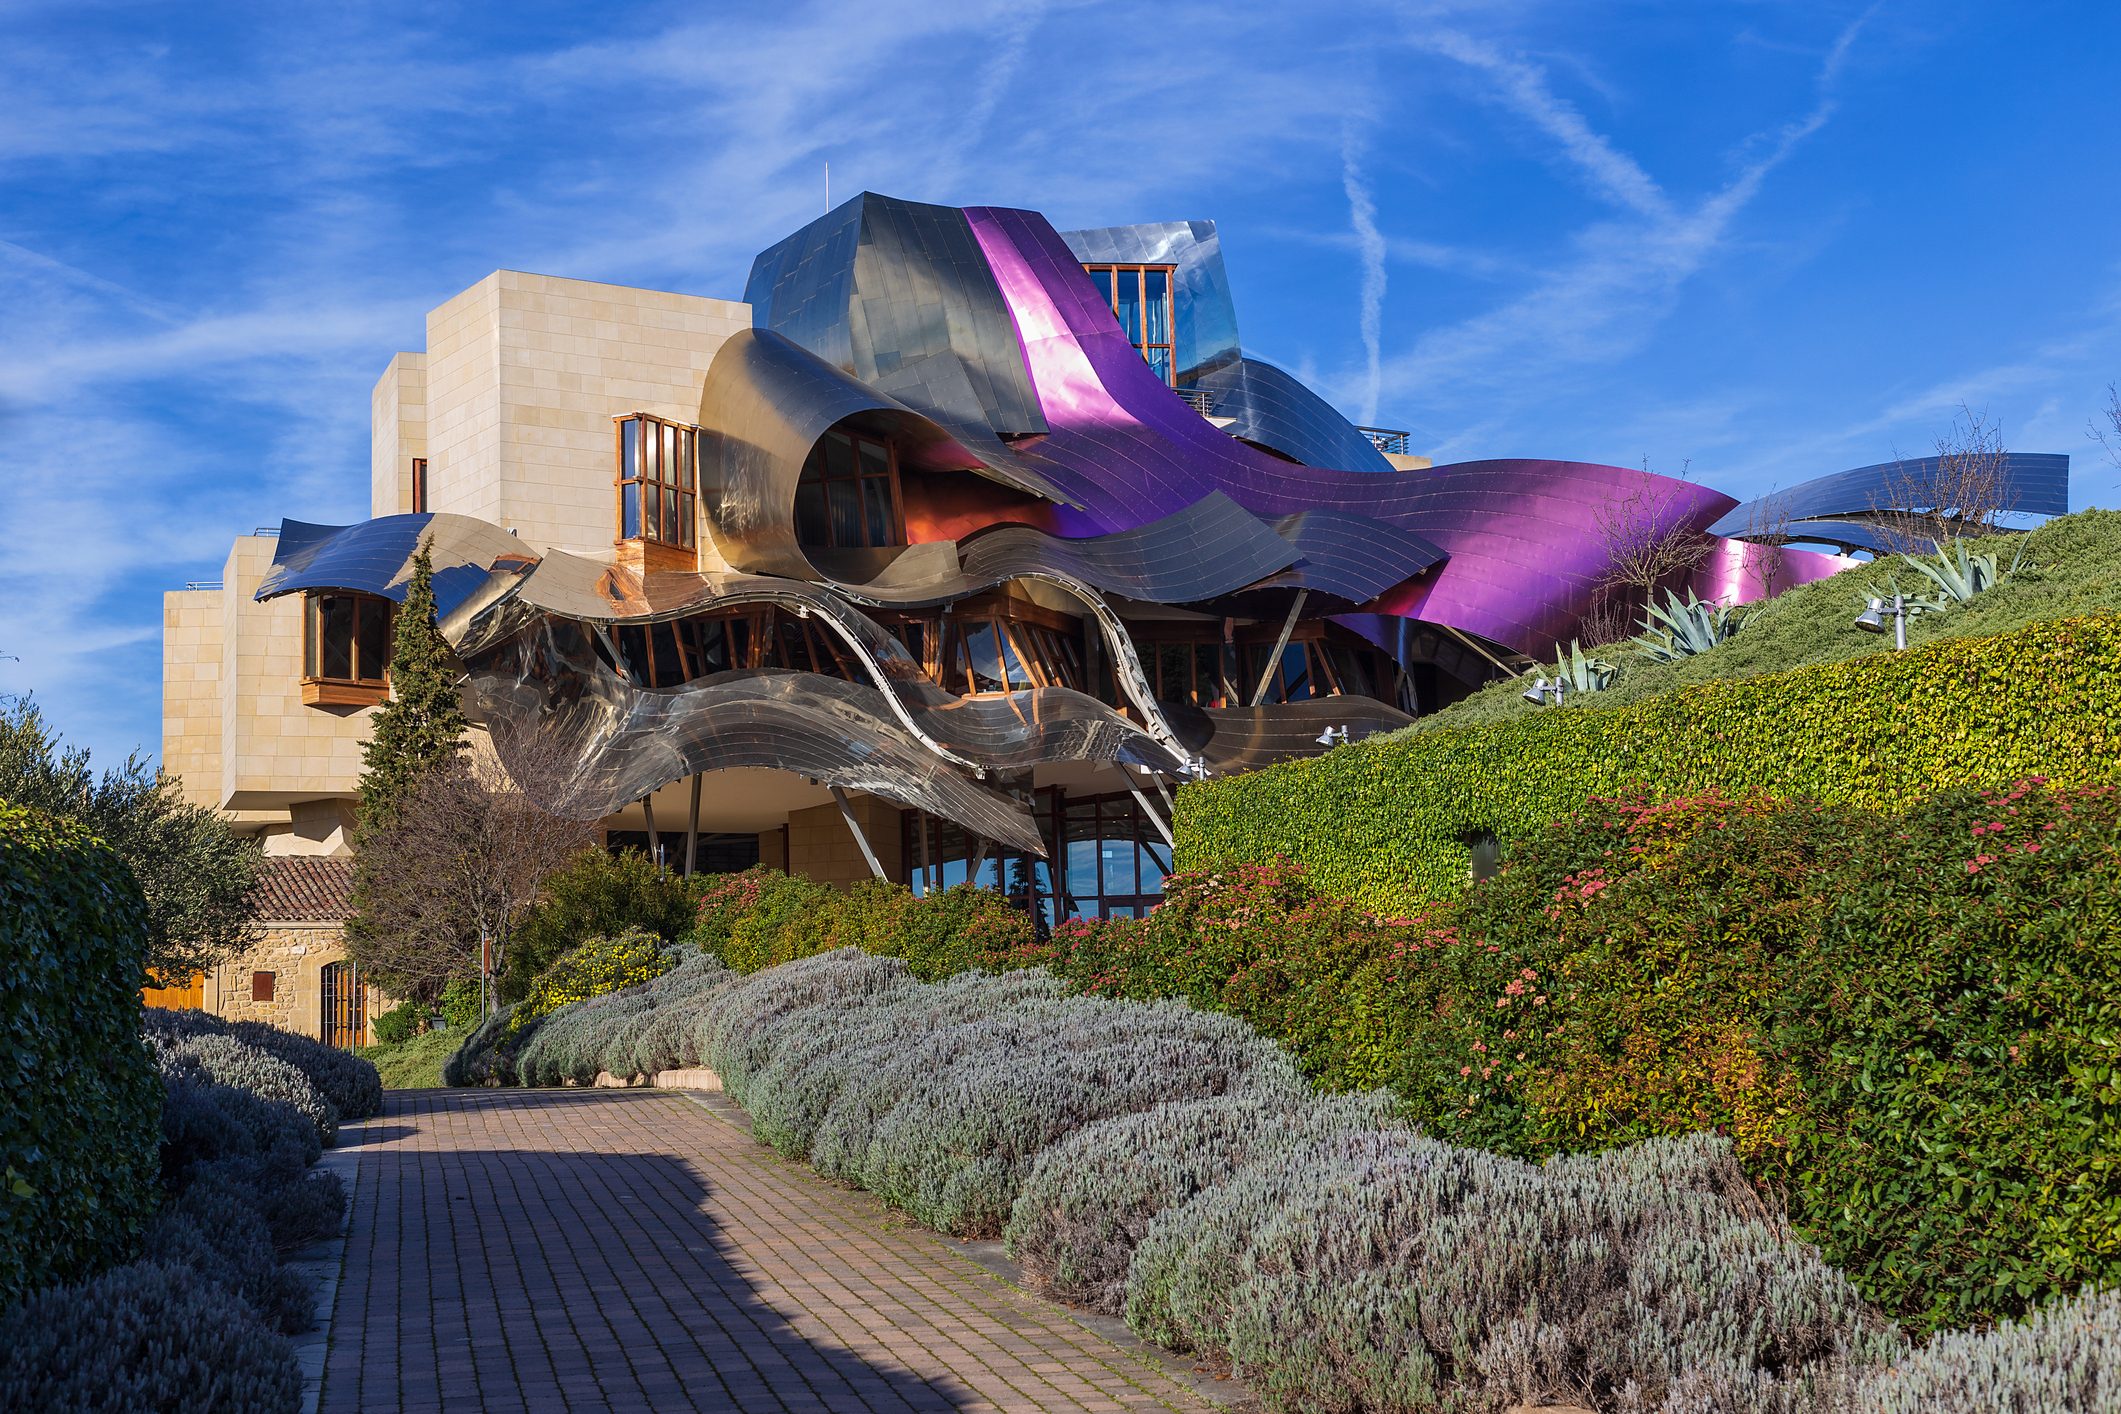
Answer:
(1036, 453)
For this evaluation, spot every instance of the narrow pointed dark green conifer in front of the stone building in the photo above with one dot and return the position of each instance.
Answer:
(423, 724)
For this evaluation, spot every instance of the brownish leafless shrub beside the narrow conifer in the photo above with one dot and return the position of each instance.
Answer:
(468, 855)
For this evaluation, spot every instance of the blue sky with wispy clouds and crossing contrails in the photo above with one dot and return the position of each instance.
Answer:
(1757, 238)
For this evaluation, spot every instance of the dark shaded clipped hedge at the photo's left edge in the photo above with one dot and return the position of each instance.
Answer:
(80, 1097)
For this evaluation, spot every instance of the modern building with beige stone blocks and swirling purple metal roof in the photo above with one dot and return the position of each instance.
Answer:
(956, 548)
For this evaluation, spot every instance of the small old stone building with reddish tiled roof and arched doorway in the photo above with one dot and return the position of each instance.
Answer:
(296, 974)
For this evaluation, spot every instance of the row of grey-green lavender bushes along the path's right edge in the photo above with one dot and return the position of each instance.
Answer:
(1172, 1165)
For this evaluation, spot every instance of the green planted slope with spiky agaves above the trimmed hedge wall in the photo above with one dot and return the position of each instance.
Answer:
(2075, 567)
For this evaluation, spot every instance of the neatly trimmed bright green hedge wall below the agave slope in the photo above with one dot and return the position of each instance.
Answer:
(1388, 821)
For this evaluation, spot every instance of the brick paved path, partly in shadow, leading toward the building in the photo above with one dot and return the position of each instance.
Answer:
(633, 1250)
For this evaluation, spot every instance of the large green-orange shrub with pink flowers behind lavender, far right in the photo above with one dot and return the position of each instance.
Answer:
(1906, 1021)
